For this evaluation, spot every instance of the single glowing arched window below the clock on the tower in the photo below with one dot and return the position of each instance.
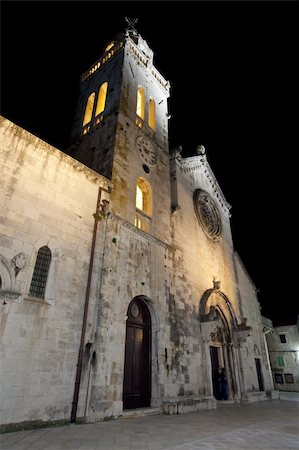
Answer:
(144, 204)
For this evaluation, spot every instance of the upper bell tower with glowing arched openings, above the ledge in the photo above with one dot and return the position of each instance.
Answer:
(121, 130)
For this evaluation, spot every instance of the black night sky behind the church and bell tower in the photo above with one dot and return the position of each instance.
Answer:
(233, 75)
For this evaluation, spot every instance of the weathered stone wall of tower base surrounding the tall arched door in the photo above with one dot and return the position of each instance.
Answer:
(135, 264)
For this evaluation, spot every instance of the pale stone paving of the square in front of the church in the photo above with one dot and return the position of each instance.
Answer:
(266, 425)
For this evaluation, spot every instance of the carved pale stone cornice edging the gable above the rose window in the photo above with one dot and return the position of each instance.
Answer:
(192, 164)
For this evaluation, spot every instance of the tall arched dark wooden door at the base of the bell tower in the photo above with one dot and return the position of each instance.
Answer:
(137, 371)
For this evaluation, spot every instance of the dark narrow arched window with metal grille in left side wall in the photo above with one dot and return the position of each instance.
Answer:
(40, 274)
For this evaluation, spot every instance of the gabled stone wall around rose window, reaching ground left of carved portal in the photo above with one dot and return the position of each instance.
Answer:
(198, 261)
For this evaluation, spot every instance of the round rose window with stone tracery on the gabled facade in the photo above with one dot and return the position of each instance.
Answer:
(207, 213)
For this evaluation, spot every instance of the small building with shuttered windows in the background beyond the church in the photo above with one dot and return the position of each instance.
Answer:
(283, 347)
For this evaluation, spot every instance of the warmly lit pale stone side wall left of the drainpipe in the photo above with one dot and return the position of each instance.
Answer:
(47, 198)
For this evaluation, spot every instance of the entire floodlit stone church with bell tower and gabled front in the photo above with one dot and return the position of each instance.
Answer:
(120, 286)
